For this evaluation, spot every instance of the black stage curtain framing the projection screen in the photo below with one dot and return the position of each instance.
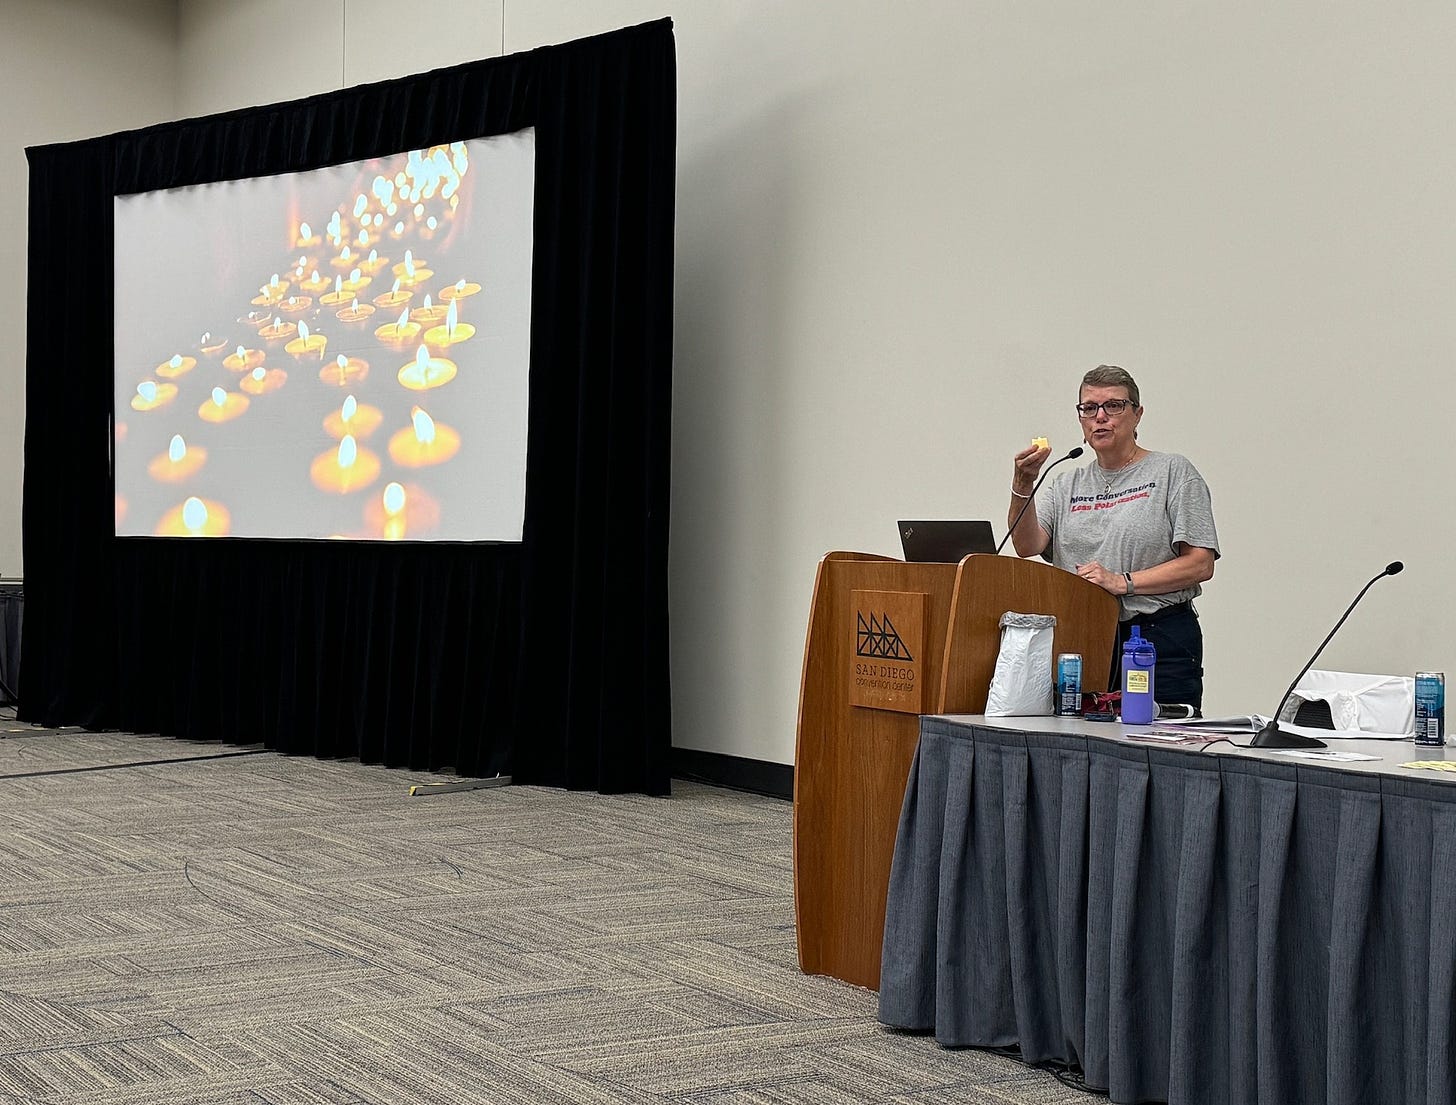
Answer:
(547, 660)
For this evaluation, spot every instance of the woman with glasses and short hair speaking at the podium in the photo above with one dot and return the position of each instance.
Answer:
(1133, 522)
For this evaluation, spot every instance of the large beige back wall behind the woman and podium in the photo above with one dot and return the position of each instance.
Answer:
(905, 231)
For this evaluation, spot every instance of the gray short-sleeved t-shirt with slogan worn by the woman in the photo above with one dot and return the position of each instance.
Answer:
(1129, 520)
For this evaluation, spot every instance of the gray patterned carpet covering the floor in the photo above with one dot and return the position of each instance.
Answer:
(286, 931)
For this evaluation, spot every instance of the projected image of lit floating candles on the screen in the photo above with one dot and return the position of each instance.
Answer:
(423, 260)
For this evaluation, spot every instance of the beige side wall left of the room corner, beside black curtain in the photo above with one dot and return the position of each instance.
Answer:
(71, 69)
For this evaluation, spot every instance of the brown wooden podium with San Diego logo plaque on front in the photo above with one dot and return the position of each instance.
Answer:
(887, 643)
